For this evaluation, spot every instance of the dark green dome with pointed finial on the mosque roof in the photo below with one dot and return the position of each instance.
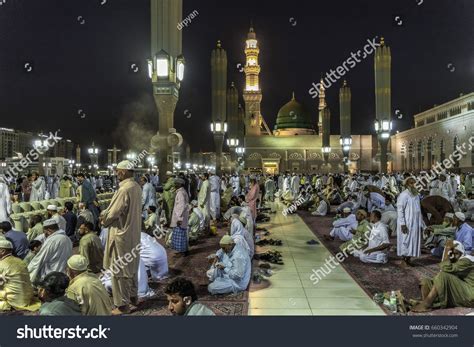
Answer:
(293, 115)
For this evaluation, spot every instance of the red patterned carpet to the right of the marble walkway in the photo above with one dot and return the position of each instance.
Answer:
(376, 278)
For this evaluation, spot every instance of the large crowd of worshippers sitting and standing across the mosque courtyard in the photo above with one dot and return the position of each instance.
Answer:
(81, 260)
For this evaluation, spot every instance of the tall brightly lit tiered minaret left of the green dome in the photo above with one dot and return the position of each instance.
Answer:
(252, 91)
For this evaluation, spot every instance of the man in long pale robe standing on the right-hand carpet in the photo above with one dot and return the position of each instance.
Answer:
(410, 223)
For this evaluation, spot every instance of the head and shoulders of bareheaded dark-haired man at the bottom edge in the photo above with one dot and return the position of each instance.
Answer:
(182, 299)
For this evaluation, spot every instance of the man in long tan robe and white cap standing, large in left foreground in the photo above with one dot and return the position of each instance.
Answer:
(121, 256)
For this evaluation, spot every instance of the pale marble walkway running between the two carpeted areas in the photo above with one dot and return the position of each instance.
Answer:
(292, 292)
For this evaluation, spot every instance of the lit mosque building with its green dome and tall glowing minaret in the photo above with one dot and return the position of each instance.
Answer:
(296, 142)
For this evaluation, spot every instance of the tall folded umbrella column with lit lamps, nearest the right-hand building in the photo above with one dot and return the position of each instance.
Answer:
(383, 97)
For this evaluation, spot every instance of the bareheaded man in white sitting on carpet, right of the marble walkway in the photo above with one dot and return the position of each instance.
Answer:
(379, 243)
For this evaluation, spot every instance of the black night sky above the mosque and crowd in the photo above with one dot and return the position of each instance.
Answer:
(81, 52)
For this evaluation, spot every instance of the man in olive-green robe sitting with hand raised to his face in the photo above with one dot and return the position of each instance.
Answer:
(453, 286)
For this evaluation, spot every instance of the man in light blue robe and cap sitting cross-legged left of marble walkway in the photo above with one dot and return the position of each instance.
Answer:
(232, 273)
